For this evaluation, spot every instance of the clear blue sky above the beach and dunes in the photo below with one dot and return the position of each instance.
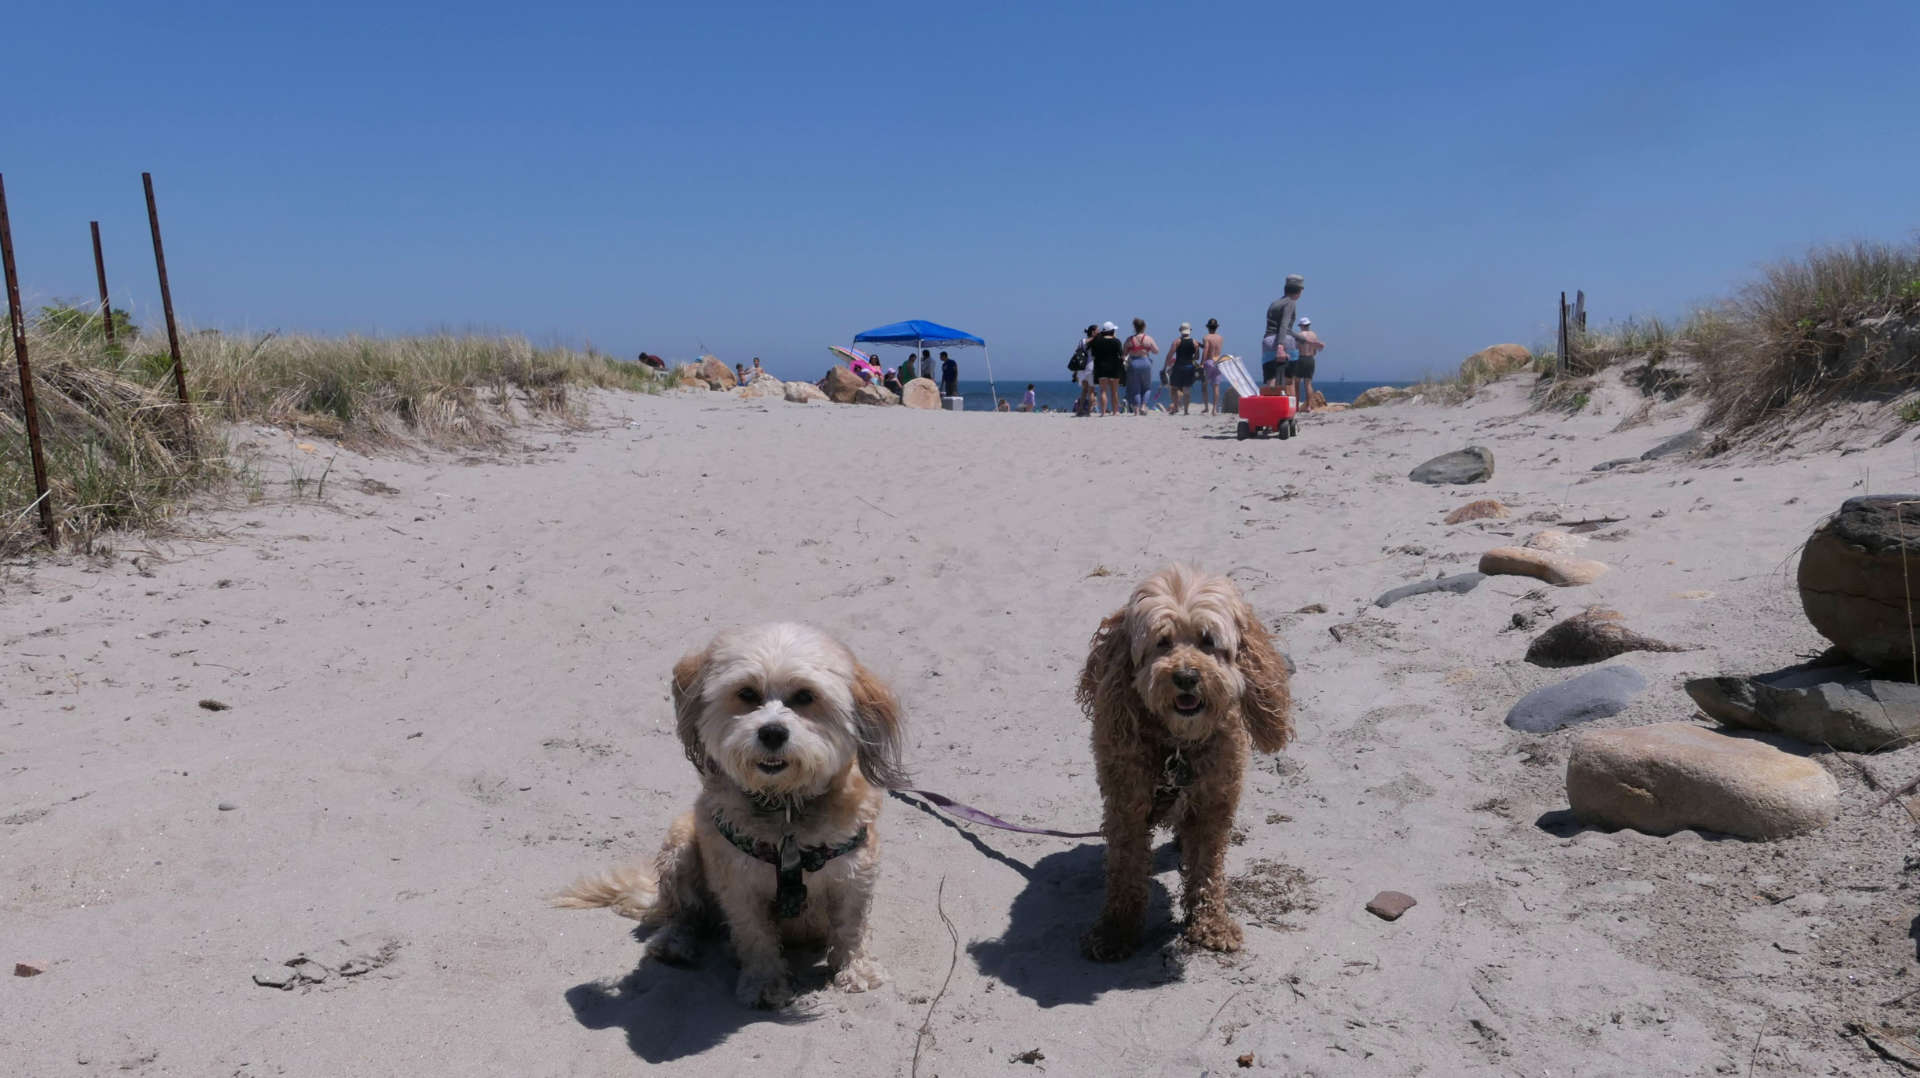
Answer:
(773, 178)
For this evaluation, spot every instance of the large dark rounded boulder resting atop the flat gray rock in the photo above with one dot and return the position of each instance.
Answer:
(1860, 577)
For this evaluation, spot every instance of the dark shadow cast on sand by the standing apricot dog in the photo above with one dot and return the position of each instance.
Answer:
(1040, 954)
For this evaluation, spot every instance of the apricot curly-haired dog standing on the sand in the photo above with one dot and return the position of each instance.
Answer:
(1178, 685)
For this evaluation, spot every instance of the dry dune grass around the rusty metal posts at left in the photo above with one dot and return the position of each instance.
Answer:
(124, 454)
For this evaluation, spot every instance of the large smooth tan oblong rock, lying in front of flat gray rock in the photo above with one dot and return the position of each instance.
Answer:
(1673, 777)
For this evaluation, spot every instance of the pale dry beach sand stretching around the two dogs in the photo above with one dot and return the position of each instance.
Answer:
(446, 695)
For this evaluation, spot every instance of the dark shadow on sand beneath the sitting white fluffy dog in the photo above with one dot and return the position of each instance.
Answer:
(677, 1012)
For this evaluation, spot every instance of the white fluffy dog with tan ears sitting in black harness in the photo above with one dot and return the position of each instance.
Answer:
(796, 745)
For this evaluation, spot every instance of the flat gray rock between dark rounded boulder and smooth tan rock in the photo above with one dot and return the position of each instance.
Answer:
(1842, 706)
